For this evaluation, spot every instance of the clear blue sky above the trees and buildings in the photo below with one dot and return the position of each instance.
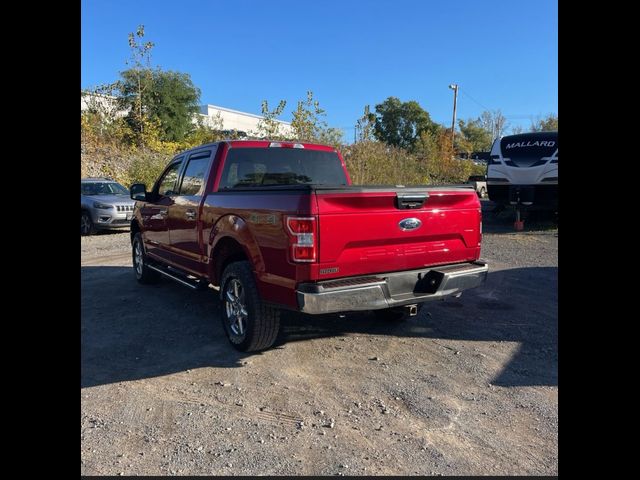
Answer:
(502, 53)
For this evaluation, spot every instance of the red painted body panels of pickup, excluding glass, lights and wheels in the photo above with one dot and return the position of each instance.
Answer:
(357, 229)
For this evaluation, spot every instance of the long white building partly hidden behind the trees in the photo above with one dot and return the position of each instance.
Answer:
(220, 118)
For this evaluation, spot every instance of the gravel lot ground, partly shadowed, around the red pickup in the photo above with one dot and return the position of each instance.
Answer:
(467, 387)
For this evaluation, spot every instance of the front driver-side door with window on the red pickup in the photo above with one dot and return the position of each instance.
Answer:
(155, 213)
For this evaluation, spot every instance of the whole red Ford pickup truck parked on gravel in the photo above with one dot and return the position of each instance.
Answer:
(278, 225)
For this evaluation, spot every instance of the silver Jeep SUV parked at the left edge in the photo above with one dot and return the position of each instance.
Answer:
(104, 204)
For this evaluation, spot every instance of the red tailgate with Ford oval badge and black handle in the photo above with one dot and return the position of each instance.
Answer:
(360, 229)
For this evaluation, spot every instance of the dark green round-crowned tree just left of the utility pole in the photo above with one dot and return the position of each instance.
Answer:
(401, 123)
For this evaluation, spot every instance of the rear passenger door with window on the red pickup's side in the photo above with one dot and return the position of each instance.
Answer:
(184, 213)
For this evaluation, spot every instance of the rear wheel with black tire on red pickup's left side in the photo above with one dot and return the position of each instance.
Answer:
(250, 325)
